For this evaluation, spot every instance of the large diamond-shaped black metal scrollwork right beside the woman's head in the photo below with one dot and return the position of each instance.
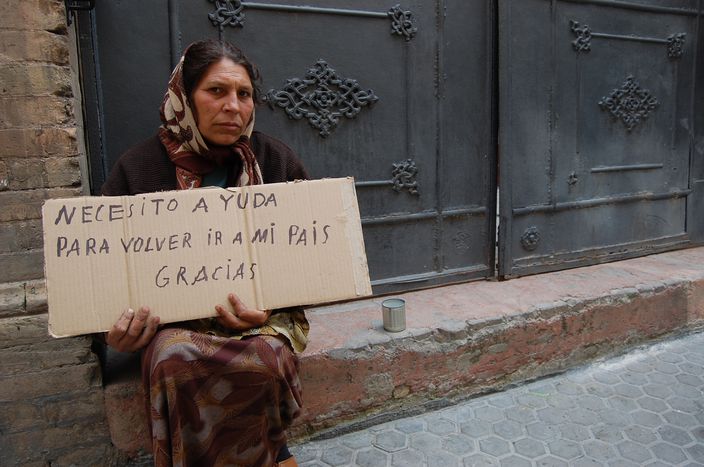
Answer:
(322, 97)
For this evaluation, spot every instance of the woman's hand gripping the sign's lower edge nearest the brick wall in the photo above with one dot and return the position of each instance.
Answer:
(132, 331)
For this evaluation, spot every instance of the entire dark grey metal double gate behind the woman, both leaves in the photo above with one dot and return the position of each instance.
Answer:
(599, 103)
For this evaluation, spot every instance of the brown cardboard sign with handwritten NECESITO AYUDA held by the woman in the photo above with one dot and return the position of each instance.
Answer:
(182, 252)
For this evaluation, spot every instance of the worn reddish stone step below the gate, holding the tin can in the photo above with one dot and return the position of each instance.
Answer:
(465, 339)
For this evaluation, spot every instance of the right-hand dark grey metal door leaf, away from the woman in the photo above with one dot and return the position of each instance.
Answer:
(600, 158)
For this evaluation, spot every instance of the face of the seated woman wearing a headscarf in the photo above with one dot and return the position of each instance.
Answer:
(223, 101)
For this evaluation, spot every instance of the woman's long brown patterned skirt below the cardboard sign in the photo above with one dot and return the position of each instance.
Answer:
(217, 401)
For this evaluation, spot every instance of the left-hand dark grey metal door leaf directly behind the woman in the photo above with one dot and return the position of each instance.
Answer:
(398, 96)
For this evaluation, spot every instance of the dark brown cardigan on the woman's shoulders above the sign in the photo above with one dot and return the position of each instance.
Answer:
(146, 167)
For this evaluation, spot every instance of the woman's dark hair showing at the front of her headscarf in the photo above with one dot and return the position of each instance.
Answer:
(200, 55)
